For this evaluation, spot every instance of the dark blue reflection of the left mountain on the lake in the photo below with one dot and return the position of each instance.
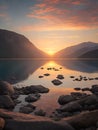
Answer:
(15, 71)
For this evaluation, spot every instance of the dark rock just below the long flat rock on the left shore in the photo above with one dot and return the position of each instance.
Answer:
(32, 97)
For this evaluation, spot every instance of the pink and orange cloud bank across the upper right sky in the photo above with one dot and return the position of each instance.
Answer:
(63, 15)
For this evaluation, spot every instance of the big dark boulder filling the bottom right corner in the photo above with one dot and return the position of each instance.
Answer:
(84, 120)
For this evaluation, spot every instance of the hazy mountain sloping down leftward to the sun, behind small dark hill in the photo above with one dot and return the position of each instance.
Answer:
(77, 50)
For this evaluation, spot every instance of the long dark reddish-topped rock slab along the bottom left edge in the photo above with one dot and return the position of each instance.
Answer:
(19, 121)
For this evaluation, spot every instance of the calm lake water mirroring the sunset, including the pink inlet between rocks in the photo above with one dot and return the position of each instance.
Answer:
(26, 72)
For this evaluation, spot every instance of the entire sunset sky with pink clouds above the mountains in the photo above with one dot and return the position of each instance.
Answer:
(51, 25)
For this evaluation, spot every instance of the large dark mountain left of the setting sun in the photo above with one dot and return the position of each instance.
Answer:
(14, 45)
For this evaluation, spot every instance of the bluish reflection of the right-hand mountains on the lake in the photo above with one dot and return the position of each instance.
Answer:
(89, 66)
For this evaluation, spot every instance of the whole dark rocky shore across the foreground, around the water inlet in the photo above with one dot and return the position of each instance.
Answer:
(77, 111)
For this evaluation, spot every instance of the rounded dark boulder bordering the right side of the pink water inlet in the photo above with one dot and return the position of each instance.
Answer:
(63, 99)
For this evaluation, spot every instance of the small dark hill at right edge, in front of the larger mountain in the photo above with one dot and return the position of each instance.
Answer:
(90, 54)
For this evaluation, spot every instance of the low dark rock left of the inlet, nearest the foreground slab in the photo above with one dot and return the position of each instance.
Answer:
(27, 109)
